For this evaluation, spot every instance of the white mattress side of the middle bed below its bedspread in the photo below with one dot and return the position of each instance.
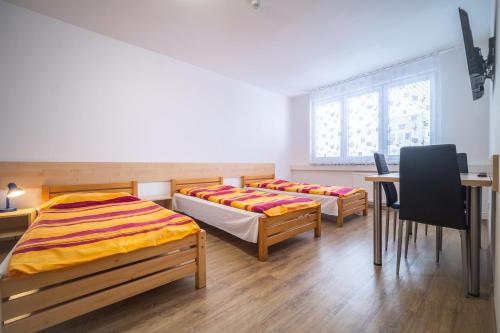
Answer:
(238, 222)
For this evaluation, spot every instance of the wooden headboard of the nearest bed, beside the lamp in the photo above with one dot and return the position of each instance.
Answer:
(51, 191)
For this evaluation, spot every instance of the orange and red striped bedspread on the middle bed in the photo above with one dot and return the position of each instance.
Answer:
(270, 204)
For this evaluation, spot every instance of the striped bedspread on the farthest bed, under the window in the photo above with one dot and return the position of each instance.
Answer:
(283, 185)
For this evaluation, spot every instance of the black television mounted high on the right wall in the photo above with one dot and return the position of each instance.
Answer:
(479, 68)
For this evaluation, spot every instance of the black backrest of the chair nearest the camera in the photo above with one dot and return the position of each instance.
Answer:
(430, 189)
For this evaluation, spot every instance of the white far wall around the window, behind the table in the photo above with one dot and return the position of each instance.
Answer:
(463, 122)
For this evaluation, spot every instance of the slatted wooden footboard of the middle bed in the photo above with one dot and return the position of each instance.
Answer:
(276, 229)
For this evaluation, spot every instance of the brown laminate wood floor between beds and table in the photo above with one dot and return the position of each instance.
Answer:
(309, 285)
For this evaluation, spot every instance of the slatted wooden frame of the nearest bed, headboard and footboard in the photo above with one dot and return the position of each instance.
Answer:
(33, 302)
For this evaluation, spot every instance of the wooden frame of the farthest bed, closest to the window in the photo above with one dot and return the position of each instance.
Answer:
(350, 205)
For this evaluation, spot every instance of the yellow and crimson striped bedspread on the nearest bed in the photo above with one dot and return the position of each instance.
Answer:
(77, 228)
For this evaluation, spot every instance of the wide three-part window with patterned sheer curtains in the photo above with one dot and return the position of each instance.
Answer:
(351, 121)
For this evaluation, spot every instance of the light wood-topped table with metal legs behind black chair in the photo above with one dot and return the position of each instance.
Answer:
(474, 185)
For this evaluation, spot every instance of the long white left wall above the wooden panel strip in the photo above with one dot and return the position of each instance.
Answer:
(68, 94)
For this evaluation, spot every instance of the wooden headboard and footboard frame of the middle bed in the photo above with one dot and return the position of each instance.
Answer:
(272, 230)
